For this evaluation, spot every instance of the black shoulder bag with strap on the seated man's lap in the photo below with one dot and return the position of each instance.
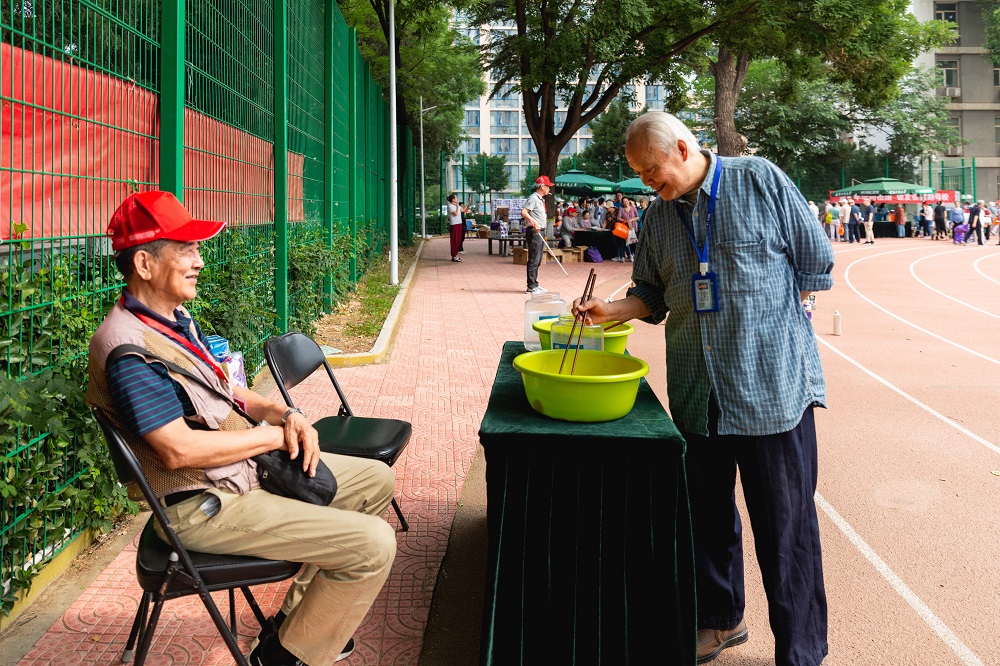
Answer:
(276, 471)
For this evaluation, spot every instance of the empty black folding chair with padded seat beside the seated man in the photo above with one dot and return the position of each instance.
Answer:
(294, 356)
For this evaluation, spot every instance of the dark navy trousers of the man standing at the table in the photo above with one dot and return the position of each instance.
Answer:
(778, 473)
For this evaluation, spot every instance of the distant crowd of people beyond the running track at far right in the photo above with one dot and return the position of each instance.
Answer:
(844, 219)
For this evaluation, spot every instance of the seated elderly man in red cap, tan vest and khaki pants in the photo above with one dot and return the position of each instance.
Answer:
(196, 450)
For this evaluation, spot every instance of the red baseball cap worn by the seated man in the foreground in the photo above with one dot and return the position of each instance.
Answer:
(154, 215)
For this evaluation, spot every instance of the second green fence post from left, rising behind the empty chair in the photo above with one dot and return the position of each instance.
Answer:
(281, 162)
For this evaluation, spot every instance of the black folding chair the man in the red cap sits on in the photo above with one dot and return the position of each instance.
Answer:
(167, 571)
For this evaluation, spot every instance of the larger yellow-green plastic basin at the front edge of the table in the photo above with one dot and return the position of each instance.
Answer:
(602, 387)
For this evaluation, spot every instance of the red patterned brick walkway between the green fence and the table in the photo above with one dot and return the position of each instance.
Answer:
(438, 375)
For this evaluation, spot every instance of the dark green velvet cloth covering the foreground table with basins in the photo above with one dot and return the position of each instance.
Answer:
(590, 554)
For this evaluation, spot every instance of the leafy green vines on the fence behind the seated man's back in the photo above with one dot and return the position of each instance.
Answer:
(55, 475)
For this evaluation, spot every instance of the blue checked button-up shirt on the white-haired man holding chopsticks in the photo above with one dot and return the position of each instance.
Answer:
(758, 354)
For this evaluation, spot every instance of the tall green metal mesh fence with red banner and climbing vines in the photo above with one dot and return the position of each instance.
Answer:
(258, 112)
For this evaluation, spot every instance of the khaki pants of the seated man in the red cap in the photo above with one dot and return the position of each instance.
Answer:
(347, 547)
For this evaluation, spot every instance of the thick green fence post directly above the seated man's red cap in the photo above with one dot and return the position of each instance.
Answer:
(172, 98)
